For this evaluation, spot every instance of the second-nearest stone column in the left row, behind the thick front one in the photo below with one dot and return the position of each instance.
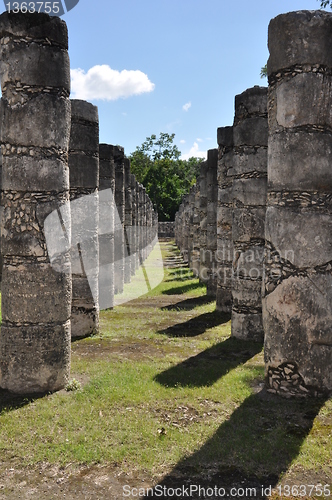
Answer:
(84, 179)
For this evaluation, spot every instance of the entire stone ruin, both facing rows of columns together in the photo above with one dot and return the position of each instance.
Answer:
(256, 227)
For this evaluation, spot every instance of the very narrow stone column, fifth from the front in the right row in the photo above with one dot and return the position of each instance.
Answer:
(203, 269)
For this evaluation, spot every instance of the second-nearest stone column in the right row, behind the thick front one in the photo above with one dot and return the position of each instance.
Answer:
(249, 206)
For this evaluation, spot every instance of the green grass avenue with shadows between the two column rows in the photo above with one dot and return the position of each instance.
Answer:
(165, 389)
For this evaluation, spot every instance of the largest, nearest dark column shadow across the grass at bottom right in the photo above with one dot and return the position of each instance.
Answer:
(254, 448)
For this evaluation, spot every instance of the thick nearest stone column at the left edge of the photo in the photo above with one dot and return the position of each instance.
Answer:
(36, 298)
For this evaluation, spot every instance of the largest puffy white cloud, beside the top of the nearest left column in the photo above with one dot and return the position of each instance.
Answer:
(105, 83)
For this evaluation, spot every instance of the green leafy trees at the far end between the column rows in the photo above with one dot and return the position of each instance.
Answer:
(157, 165)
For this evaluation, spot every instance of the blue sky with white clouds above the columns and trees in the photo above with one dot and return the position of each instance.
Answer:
(170, 66)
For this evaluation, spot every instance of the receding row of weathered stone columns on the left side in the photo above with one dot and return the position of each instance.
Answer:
(54, 166)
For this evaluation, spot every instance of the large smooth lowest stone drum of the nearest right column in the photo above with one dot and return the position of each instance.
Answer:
(299, 314)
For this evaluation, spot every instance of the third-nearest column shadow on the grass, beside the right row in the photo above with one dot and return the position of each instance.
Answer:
(196, 326)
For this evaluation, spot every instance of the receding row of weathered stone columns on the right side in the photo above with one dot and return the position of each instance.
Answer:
(272, 226)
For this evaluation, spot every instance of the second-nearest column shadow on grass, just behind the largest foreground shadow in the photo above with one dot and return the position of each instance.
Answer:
(207, 367)
